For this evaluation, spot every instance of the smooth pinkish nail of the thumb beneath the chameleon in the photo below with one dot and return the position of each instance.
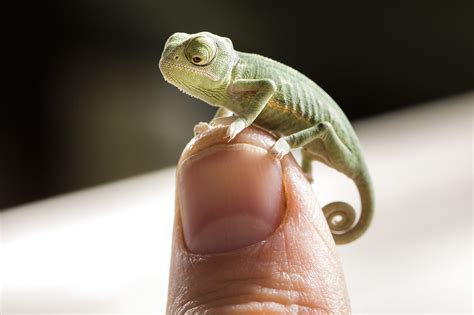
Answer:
(229, 197)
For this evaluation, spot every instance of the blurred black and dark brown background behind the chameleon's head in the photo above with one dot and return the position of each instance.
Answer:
(86, 103)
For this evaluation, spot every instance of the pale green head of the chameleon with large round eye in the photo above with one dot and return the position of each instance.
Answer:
(197, 62)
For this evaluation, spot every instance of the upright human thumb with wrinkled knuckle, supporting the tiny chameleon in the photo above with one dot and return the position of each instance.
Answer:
(249, 236)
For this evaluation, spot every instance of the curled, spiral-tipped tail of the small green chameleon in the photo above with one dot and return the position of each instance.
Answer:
(341, 216)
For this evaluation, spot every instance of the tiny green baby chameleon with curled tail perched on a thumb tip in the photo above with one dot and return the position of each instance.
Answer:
(258, 90)
